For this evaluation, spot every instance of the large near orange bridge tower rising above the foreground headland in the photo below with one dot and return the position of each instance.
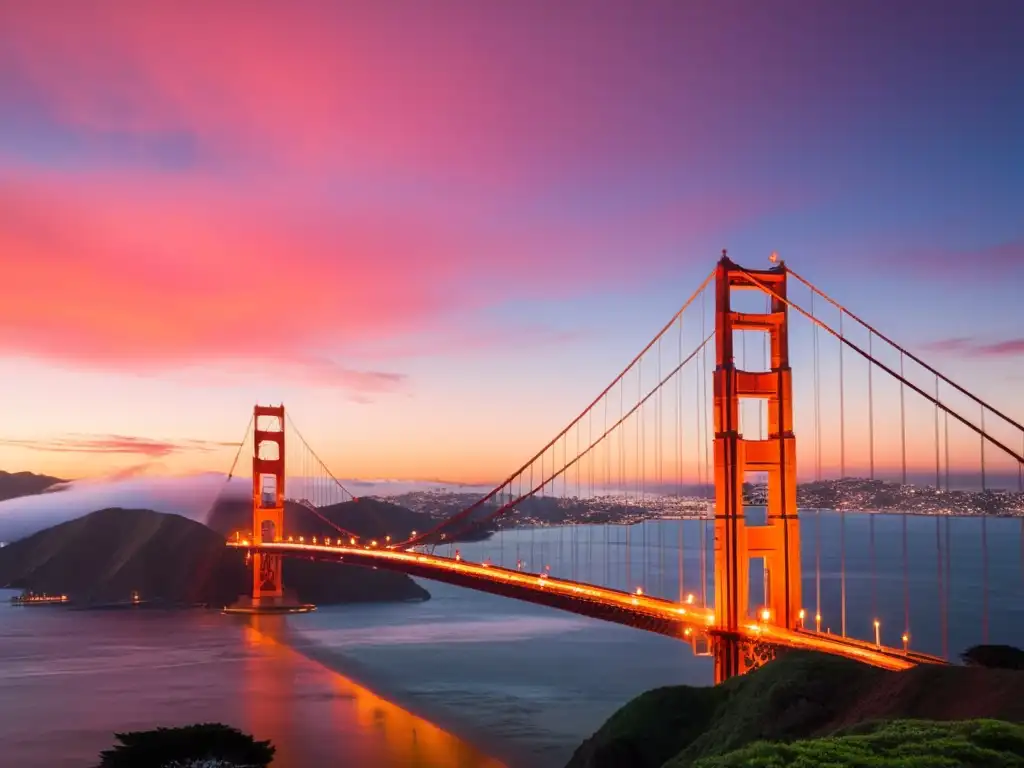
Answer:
(737, 542)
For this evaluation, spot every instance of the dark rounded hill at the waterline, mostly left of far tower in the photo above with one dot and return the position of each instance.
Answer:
(106, 556)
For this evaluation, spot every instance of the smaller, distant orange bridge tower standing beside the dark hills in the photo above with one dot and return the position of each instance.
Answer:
(269, 500)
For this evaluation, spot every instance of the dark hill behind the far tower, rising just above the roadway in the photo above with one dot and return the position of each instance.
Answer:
(368, 519)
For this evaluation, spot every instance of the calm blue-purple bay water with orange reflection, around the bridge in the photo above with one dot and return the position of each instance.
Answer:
(524, 685)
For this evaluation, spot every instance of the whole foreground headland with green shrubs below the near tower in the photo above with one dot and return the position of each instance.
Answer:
(804, 707)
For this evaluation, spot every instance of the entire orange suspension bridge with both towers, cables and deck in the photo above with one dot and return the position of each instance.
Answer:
(702, 426)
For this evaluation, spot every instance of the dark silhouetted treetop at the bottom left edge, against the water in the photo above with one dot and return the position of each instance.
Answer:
(203, 745)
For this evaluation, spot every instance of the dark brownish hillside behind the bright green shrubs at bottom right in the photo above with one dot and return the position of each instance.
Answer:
(801, 696)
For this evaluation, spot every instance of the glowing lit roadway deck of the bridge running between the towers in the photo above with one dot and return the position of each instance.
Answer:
(643, 612)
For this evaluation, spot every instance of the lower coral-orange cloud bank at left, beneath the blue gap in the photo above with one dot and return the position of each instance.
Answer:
(107, 271)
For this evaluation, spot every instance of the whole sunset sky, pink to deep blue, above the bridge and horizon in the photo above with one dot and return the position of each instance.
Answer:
(436, 232)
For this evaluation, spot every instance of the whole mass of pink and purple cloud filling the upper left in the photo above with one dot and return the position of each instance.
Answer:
(356, 183)
